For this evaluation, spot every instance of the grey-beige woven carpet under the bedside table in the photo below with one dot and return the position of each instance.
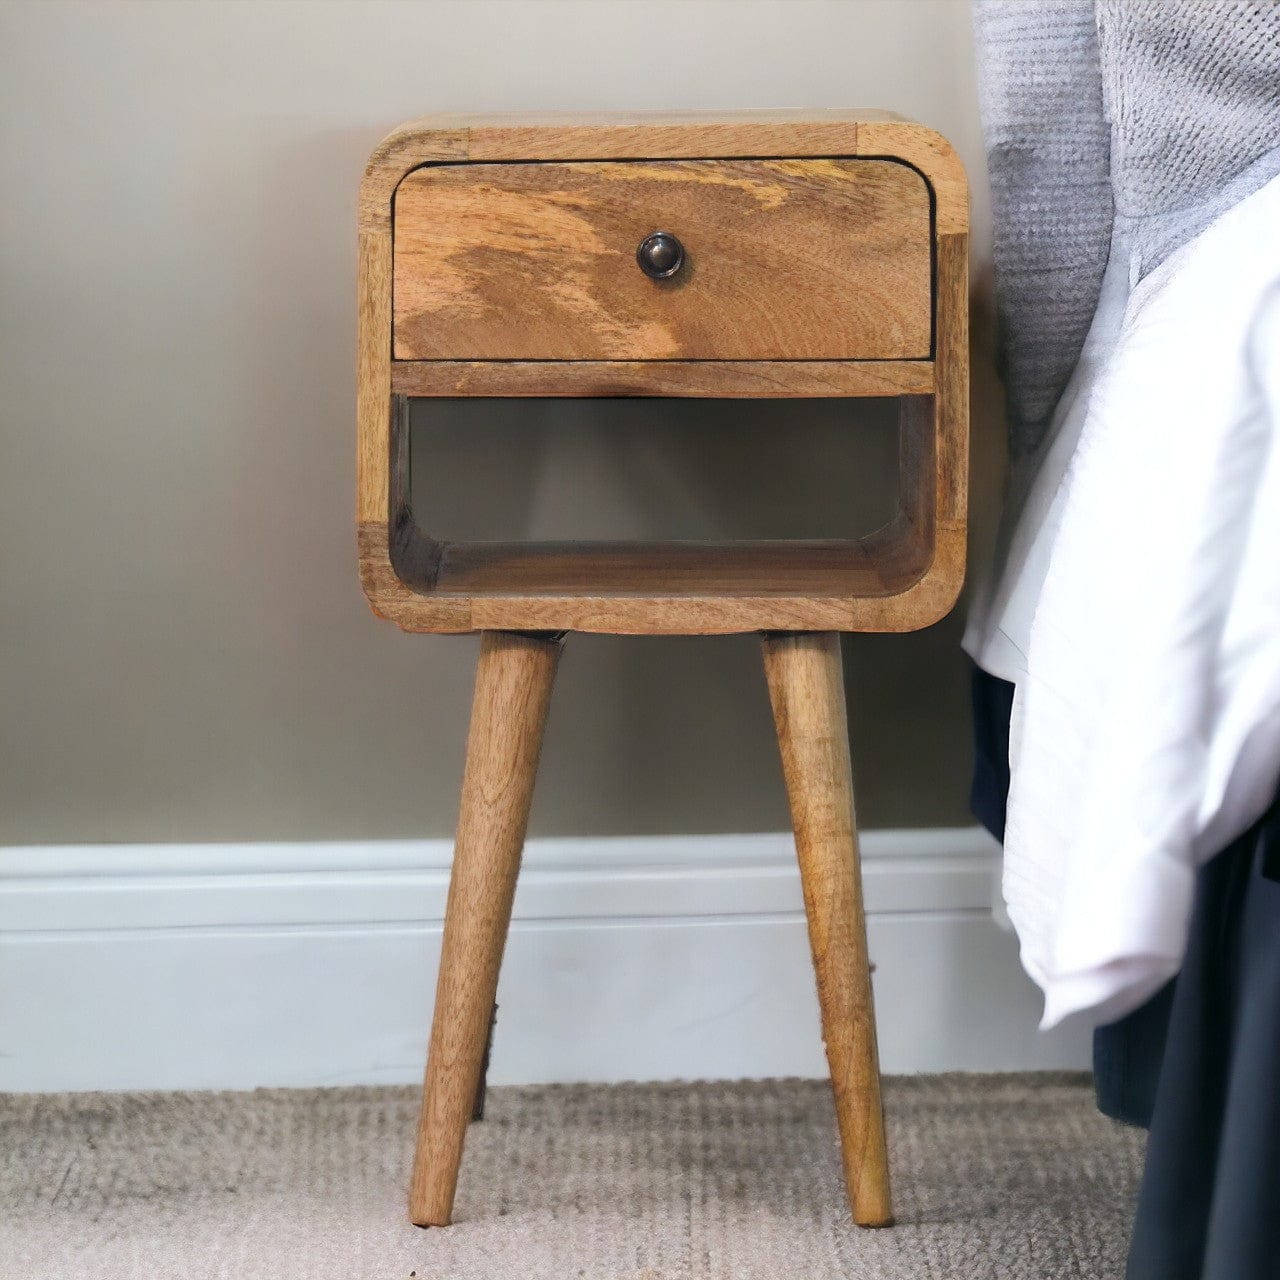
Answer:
(995, 1177)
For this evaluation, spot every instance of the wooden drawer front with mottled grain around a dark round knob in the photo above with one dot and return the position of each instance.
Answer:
(784, 260)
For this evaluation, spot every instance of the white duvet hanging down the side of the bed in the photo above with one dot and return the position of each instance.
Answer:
(1140, 618)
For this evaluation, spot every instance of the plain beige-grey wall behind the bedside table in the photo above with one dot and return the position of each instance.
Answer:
(186, 653)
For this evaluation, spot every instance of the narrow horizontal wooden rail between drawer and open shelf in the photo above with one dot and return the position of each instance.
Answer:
(806, 380)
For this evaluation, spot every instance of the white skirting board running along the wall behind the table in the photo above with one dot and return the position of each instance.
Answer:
(186, 967)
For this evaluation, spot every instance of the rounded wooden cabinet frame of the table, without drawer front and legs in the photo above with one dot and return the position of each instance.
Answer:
(904, 577)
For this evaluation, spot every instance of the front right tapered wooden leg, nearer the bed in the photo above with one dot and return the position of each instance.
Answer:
(808, 693)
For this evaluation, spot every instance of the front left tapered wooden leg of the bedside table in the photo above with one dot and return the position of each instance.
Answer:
(514, 684)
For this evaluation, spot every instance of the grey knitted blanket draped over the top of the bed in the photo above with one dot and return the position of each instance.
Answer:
(1151, 116)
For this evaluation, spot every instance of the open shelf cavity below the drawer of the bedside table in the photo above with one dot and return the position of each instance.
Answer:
(650, 497)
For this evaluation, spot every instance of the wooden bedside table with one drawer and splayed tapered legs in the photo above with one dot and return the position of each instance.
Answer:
(755, 255)
